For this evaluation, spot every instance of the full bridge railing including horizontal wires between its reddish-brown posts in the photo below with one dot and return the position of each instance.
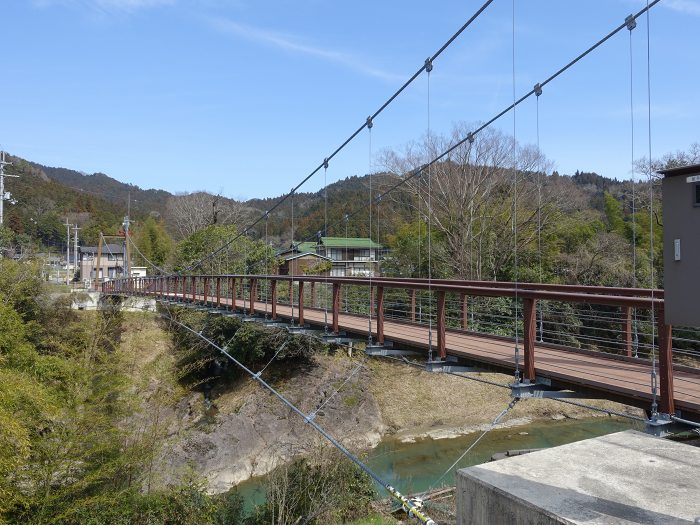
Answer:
(581, 319)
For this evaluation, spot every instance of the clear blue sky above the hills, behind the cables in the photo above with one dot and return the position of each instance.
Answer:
(246, 98)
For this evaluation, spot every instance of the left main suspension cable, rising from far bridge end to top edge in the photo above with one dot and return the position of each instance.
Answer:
(349, 139)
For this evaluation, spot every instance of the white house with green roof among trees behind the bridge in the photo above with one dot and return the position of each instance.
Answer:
(350, 256)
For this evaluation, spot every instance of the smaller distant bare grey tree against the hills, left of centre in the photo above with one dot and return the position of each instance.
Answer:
(192, 212)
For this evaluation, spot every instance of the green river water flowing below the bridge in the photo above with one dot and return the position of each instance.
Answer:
(414, 467)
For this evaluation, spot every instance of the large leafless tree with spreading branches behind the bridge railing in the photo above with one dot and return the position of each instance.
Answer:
(471, 197)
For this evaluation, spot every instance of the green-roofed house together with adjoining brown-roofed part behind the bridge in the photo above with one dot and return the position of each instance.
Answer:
(348, 257)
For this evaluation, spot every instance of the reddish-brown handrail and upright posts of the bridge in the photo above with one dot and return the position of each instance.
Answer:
(231, 291)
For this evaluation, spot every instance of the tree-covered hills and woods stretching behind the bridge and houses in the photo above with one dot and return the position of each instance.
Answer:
(581, 228)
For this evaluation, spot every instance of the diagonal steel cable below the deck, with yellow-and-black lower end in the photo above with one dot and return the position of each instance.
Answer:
(308, 419)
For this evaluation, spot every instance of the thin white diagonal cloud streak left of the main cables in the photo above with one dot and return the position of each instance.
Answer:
(291, 44)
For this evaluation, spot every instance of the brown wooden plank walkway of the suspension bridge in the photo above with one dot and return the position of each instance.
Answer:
(614, 377)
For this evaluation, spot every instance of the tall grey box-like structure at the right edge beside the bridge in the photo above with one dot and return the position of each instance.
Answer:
(681, 220)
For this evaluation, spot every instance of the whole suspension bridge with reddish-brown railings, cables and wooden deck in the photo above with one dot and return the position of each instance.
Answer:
(561, 342)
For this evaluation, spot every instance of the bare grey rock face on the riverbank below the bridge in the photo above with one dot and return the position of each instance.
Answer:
(250, 431)
